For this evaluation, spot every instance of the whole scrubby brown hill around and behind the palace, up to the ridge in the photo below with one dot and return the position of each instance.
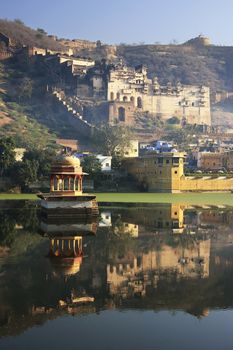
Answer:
(193, 63)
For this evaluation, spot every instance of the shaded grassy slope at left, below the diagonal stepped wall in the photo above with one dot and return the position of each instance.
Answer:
(27, 112)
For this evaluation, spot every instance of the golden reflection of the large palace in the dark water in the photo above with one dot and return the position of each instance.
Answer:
(133, 275)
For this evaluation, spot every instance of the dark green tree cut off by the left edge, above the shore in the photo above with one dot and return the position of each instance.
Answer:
(7, 154)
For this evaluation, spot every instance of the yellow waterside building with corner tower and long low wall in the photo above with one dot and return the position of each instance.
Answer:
(164, 172)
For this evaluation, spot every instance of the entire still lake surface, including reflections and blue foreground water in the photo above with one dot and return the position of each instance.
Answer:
(159, 277)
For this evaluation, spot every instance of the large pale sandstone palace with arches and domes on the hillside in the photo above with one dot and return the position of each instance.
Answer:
(130, 90)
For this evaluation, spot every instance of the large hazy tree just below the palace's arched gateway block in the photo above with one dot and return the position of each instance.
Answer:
(111, 140)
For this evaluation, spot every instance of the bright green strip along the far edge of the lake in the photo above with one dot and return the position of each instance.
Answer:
(191, 198)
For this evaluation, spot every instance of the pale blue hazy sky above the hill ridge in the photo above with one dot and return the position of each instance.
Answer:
(128, 21)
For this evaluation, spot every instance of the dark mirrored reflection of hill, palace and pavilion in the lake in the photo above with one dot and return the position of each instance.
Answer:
(168, 256)
